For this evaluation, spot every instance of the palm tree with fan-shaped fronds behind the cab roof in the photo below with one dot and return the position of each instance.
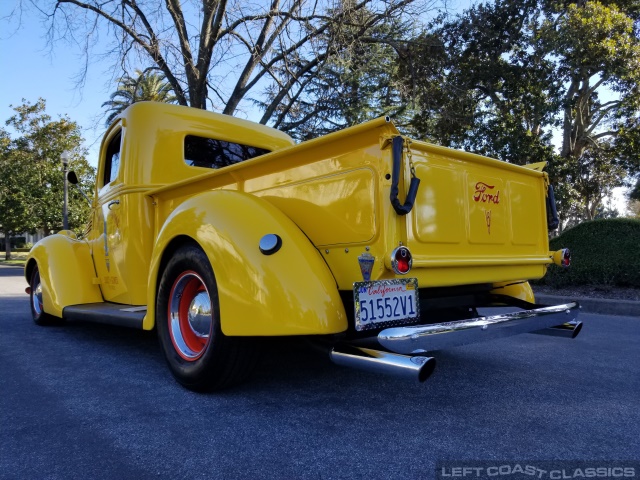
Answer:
(145, 86)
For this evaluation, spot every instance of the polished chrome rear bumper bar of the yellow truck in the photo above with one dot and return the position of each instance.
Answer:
(419, 339)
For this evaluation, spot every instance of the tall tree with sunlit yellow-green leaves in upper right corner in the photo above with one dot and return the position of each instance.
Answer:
(595, 47)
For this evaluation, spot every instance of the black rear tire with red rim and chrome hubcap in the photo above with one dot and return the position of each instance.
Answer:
(200, 356)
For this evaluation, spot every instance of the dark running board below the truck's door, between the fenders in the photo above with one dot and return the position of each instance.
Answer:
(109, 313)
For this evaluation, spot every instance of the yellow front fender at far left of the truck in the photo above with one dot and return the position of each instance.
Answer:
(66, 273)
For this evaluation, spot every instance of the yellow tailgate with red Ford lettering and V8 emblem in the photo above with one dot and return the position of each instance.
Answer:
(476, 219)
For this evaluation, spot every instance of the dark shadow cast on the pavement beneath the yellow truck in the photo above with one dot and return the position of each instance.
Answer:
(287, 364)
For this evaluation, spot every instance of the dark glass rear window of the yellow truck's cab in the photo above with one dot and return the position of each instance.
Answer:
(211, 153)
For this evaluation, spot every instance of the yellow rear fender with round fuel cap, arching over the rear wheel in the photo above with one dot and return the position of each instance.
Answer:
(291, 292)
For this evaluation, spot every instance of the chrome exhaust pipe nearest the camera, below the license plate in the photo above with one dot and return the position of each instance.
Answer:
(413, 368)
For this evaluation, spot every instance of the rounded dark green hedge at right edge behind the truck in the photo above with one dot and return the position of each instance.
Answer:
(603, 252)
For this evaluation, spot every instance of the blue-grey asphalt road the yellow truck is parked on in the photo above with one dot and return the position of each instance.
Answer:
(90, 401)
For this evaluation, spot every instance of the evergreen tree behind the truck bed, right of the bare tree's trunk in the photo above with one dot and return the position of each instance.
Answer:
(356, 81)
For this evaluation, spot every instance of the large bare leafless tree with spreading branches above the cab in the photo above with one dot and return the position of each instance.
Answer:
(216, 54)
